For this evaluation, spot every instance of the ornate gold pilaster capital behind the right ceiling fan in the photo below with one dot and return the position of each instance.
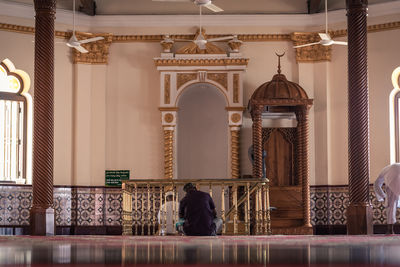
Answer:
(313, 53)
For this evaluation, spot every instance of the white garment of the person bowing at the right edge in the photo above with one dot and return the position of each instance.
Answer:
(390, 175)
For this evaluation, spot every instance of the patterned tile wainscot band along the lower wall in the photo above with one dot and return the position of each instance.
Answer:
(103, 206)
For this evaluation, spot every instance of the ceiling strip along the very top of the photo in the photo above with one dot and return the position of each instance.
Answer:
(149, 7)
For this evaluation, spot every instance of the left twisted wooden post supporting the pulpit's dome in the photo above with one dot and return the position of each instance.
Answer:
(257, 140)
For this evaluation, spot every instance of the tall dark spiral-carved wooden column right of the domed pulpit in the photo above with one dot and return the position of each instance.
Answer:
(359, 212)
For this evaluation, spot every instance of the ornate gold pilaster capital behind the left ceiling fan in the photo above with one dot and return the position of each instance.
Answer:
(98, 51)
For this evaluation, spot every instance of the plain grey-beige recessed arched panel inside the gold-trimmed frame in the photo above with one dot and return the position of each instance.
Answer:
(202, 133)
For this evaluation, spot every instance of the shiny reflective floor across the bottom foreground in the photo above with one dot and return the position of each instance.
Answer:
(373, 250)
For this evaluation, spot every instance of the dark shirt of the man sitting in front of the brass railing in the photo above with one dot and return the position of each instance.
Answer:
(197, 208)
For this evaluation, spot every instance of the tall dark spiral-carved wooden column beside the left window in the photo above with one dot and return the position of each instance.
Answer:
(42, 212)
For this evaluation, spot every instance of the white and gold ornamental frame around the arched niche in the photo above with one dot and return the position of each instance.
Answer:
(178, 75)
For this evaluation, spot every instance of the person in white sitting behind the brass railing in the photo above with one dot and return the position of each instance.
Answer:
(166, 223)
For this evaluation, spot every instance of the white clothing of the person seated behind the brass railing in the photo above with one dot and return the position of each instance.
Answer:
(168, 226)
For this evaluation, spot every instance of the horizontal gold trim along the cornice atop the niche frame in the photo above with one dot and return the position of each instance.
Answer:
(201, 62)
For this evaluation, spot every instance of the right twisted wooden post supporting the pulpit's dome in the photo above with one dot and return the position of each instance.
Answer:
(303, 169)
